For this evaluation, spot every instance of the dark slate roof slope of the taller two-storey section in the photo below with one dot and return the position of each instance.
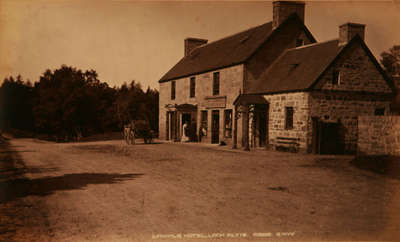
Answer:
(225, 52)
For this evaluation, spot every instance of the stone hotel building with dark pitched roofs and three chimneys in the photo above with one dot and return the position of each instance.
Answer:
(274, 86)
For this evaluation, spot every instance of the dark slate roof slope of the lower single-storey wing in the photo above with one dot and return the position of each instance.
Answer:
(297, 69)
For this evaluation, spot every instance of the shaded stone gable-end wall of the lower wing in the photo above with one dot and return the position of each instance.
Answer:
(360, 91)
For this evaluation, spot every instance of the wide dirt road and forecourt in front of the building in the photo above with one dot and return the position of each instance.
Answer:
(108, 191)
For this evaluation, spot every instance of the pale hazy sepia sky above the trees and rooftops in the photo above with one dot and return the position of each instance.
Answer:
(126, 40)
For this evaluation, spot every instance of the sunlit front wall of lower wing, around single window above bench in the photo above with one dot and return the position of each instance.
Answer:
(300, 103)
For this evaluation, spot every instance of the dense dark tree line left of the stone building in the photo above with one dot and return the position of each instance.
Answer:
(67, 101)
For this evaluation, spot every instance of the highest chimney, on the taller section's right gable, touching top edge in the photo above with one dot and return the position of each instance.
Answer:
(283, 9)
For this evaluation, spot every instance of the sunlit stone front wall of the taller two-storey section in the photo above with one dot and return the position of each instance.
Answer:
(231, 83)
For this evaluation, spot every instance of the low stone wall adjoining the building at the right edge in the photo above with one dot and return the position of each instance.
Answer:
(378, 135)
